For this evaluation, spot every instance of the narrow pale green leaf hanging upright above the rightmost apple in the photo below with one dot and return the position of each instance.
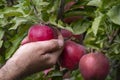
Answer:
(96, 24)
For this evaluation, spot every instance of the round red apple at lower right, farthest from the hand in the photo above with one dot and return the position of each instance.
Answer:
(94, 66)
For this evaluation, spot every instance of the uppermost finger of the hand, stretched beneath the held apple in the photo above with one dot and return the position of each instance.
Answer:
(44, 46)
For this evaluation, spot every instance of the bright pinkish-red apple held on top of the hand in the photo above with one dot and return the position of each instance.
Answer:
(40, 32)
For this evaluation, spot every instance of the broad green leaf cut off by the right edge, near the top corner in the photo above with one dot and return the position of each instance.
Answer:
(114, 14)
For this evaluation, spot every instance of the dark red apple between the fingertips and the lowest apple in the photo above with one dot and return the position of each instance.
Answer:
(71, 55)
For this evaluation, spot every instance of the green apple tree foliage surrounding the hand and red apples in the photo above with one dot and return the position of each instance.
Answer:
(100, 23)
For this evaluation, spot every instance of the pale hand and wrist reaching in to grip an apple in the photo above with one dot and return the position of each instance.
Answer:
(31, 58)
